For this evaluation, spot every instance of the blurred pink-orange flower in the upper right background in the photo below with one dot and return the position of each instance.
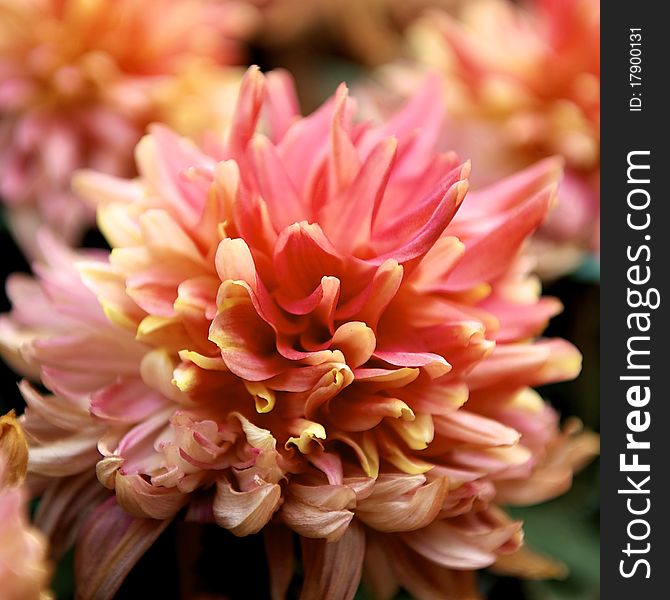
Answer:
(524, 80)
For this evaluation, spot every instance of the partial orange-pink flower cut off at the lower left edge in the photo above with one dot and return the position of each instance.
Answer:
(24, 571)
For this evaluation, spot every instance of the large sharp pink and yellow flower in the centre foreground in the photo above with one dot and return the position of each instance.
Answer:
(306, 331)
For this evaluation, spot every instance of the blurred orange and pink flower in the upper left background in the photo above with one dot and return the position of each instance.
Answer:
(79, 82)
